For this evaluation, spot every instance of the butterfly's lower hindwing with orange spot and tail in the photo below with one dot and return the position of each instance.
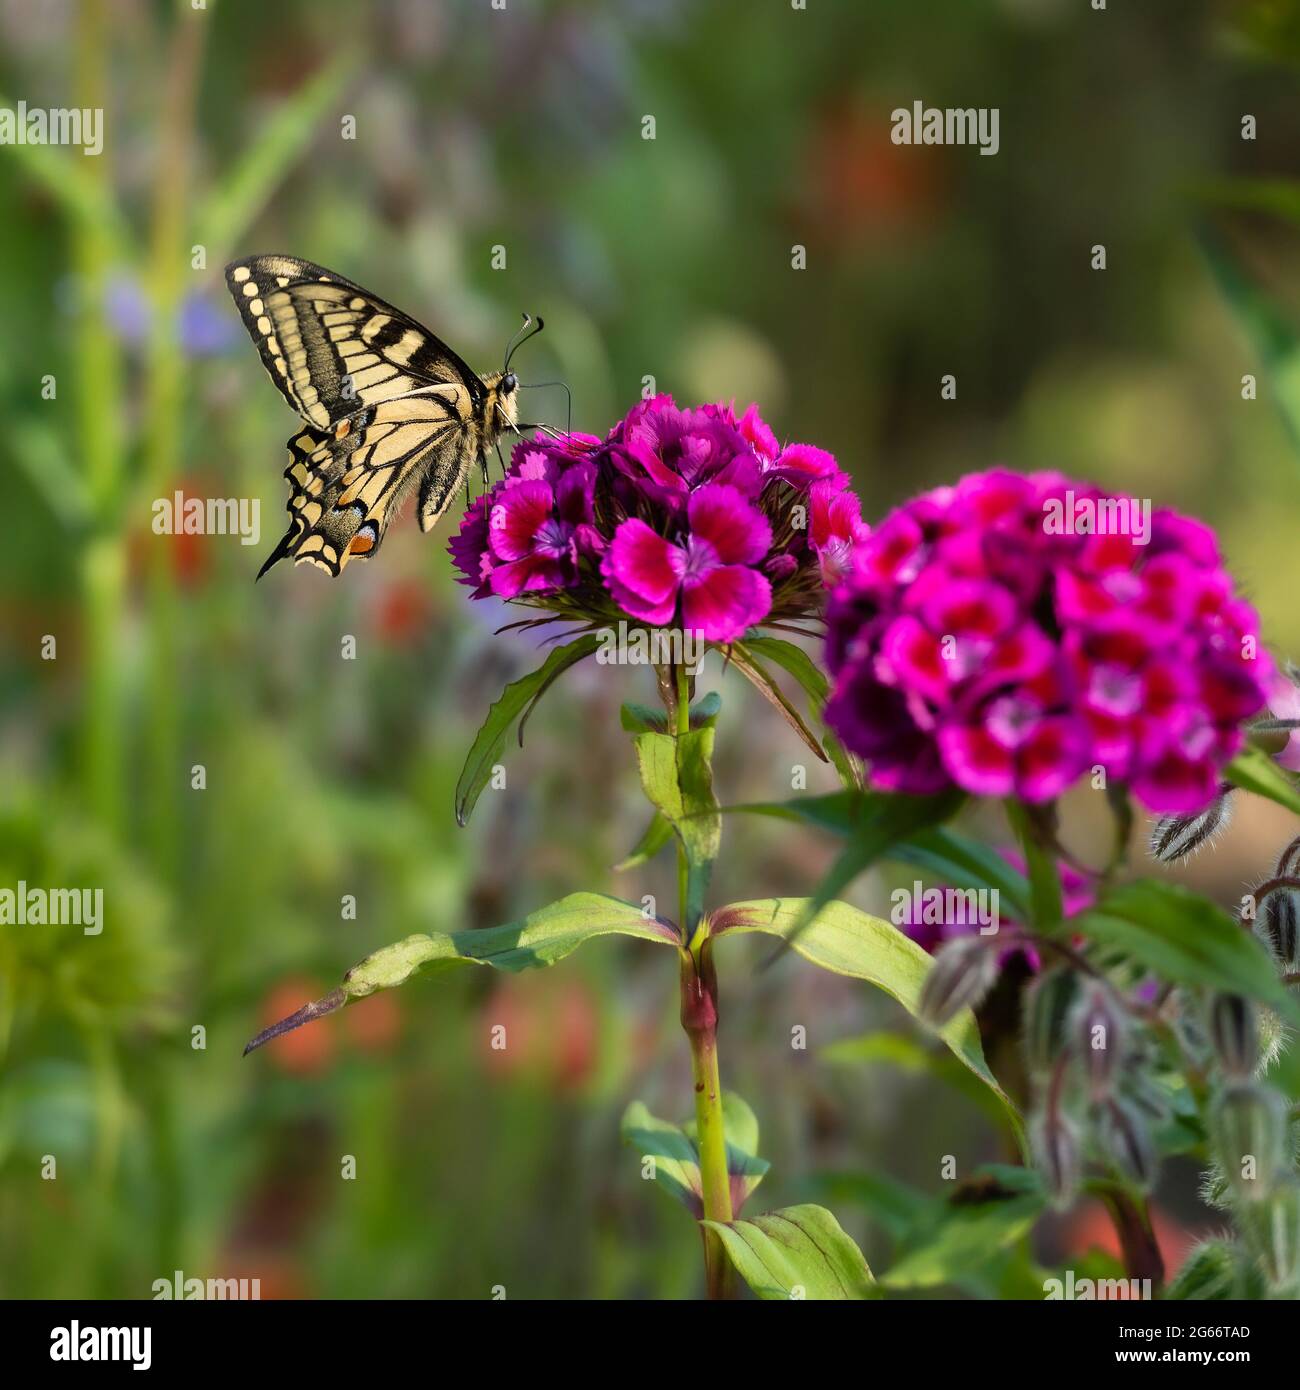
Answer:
(347, 483)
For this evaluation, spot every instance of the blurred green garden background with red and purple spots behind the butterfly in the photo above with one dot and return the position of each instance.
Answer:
(522, 127)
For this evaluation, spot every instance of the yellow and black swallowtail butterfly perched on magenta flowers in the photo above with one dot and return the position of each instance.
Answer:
(389, 408)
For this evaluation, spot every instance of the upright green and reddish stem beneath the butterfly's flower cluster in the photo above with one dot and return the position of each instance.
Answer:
(700, 1022)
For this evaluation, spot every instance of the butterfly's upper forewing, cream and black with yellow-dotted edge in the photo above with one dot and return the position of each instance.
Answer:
(334, 348)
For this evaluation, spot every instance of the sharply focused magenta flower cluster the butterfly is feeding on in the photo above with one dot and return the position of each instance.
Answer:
(692, 518)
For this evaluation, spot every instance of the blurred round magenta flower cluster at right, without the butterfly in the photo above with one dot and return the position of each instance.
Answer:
(1002, 637)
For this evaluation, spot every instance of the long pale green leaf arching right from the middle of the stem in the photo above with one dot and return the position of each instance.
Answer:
(846, 942)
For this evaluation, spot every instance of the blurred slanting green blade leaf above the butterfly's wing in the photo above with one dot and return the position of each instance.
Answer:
(283, 138)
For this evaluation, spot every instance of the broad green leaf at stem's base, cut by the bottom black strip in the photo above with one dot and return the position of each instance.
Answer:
(797, 1253)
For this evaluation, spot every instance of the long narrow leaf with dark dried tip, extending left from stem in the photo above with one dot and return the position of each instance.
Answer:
(540, 940)
